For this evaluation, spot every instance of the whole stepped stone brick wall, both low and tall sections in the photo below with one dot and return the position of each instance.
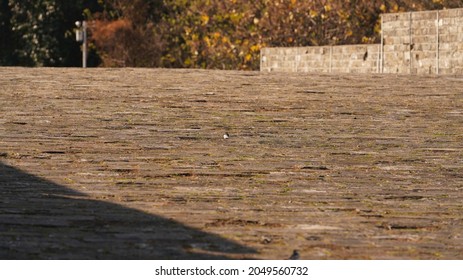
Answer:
(429, 42)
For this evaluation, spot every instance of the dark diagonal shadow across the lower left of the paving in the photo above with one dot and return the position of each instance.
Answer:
(43, 220)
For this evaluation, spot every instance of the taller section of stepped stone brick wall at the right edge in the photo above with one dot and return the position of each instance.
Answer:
(428, 42)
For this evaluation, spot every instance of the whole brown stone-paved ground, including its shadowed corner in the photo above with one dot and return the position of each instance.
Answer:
(131, 163)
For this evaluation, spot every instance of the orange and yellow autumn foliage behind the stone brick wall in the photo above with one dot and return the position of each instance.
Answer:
(228, 34)
